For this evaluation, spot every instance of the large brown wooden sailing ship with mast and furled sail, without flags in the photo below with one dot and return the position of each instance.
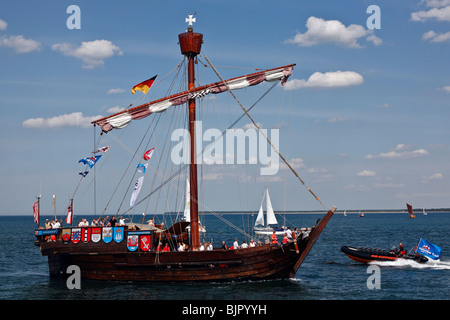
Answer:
(130, 253)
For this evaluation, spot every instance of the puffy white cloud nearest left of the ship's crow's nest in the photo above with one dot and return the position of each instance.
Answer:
(92, 53)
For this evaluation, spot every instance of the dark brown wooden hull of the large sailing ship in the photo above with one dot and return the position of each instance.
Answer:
(114, 260)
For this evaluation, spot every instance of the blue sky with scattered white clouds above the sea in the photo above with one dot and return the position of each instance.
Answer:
(364, 117)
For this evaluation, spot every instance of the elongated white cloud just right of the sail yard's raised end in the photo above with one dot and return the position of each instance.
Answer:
(336, 79)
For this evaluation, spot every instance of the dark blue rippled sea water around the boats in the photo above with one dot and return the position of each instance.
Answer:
(326, 273)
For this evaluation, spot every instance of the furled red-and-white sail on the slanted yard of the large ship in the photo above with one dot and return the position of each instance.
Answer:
(121, 119)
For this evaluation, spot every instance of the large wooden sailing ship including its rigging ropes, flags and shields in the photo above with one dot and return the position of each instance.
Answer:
(133, 252)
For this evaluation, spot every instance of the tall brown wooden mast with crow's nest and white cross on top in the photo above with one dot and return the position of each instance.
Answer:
(190, 44)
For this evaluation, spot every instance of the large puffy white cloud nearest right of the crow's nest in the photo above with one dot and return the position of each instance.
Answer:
(322, 31)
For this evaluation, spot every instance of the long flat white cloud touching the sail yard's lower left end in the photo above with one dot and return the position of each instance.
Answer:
(75, 119)
